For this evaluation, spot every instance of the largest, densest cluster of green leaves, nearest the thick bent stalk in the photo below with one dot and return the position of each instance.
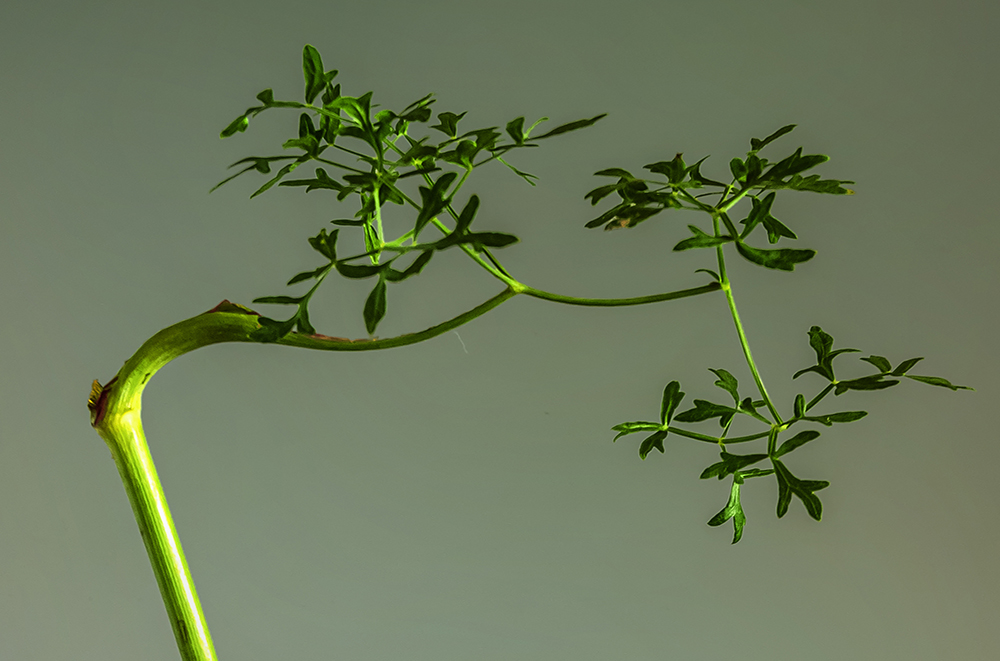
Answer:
(391, 156)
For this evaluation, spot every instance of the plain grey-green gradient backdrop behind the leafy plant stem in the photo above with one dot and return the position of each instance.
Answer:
(441, 502)
